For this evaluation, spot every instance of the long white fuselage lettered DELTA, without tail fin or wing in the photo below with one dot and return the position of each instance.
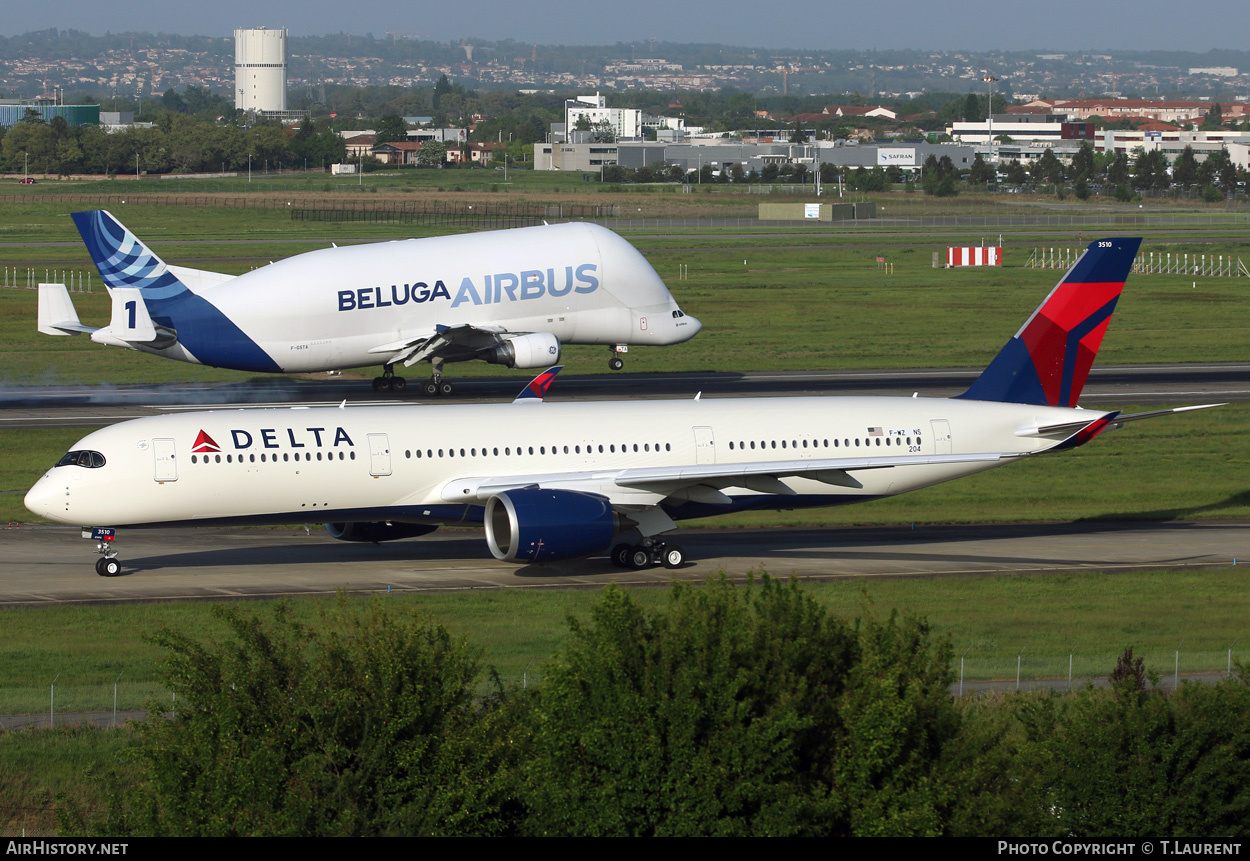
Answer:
(437, 464)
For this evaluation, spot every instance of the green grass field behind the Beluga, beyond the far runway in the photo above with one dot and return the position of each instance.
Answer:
(803, 302)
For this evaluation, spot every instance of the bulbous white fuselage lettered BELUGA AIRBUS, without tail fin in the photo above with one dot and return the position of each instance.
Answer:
(336, 308)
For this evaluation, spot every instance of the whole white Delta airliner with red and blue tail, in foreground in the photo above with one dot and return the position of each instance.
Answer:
(553, 482)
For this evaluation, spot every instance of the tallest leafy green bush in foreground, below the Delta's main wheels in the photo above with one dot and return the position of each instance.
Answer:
(741, 710)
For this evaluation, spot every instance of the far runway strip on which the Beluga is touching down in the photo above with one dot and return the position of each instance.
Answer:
(1108, 387)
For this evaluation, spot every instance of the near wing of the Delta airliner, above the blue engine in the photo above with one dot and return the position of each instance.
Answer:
(704, 483)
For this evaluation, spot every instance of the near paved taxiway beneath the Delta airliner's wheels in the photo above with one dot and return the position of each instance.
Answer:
(53, 565)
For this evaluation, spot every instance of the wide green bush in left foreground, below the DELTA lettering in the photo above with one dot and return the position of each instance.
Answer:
(364, 724)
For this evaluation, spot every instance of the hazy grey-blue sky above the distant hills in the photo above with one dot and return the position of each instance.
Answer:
(1197, 26)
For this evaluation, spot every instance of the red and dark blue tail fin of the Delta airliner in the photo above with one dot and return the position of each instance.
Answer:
(1049, 359)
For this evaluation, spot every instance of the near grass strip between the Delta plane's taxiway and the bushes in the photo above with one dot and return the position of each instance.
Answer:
(1092, 617)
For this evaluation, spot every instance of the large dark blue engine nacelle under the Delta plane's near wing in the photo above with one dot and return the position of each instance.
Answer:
(533, 525)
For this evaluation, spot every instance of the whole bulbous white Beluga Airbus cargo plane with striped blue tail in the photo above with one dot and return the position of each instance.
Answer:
(509, 298)
